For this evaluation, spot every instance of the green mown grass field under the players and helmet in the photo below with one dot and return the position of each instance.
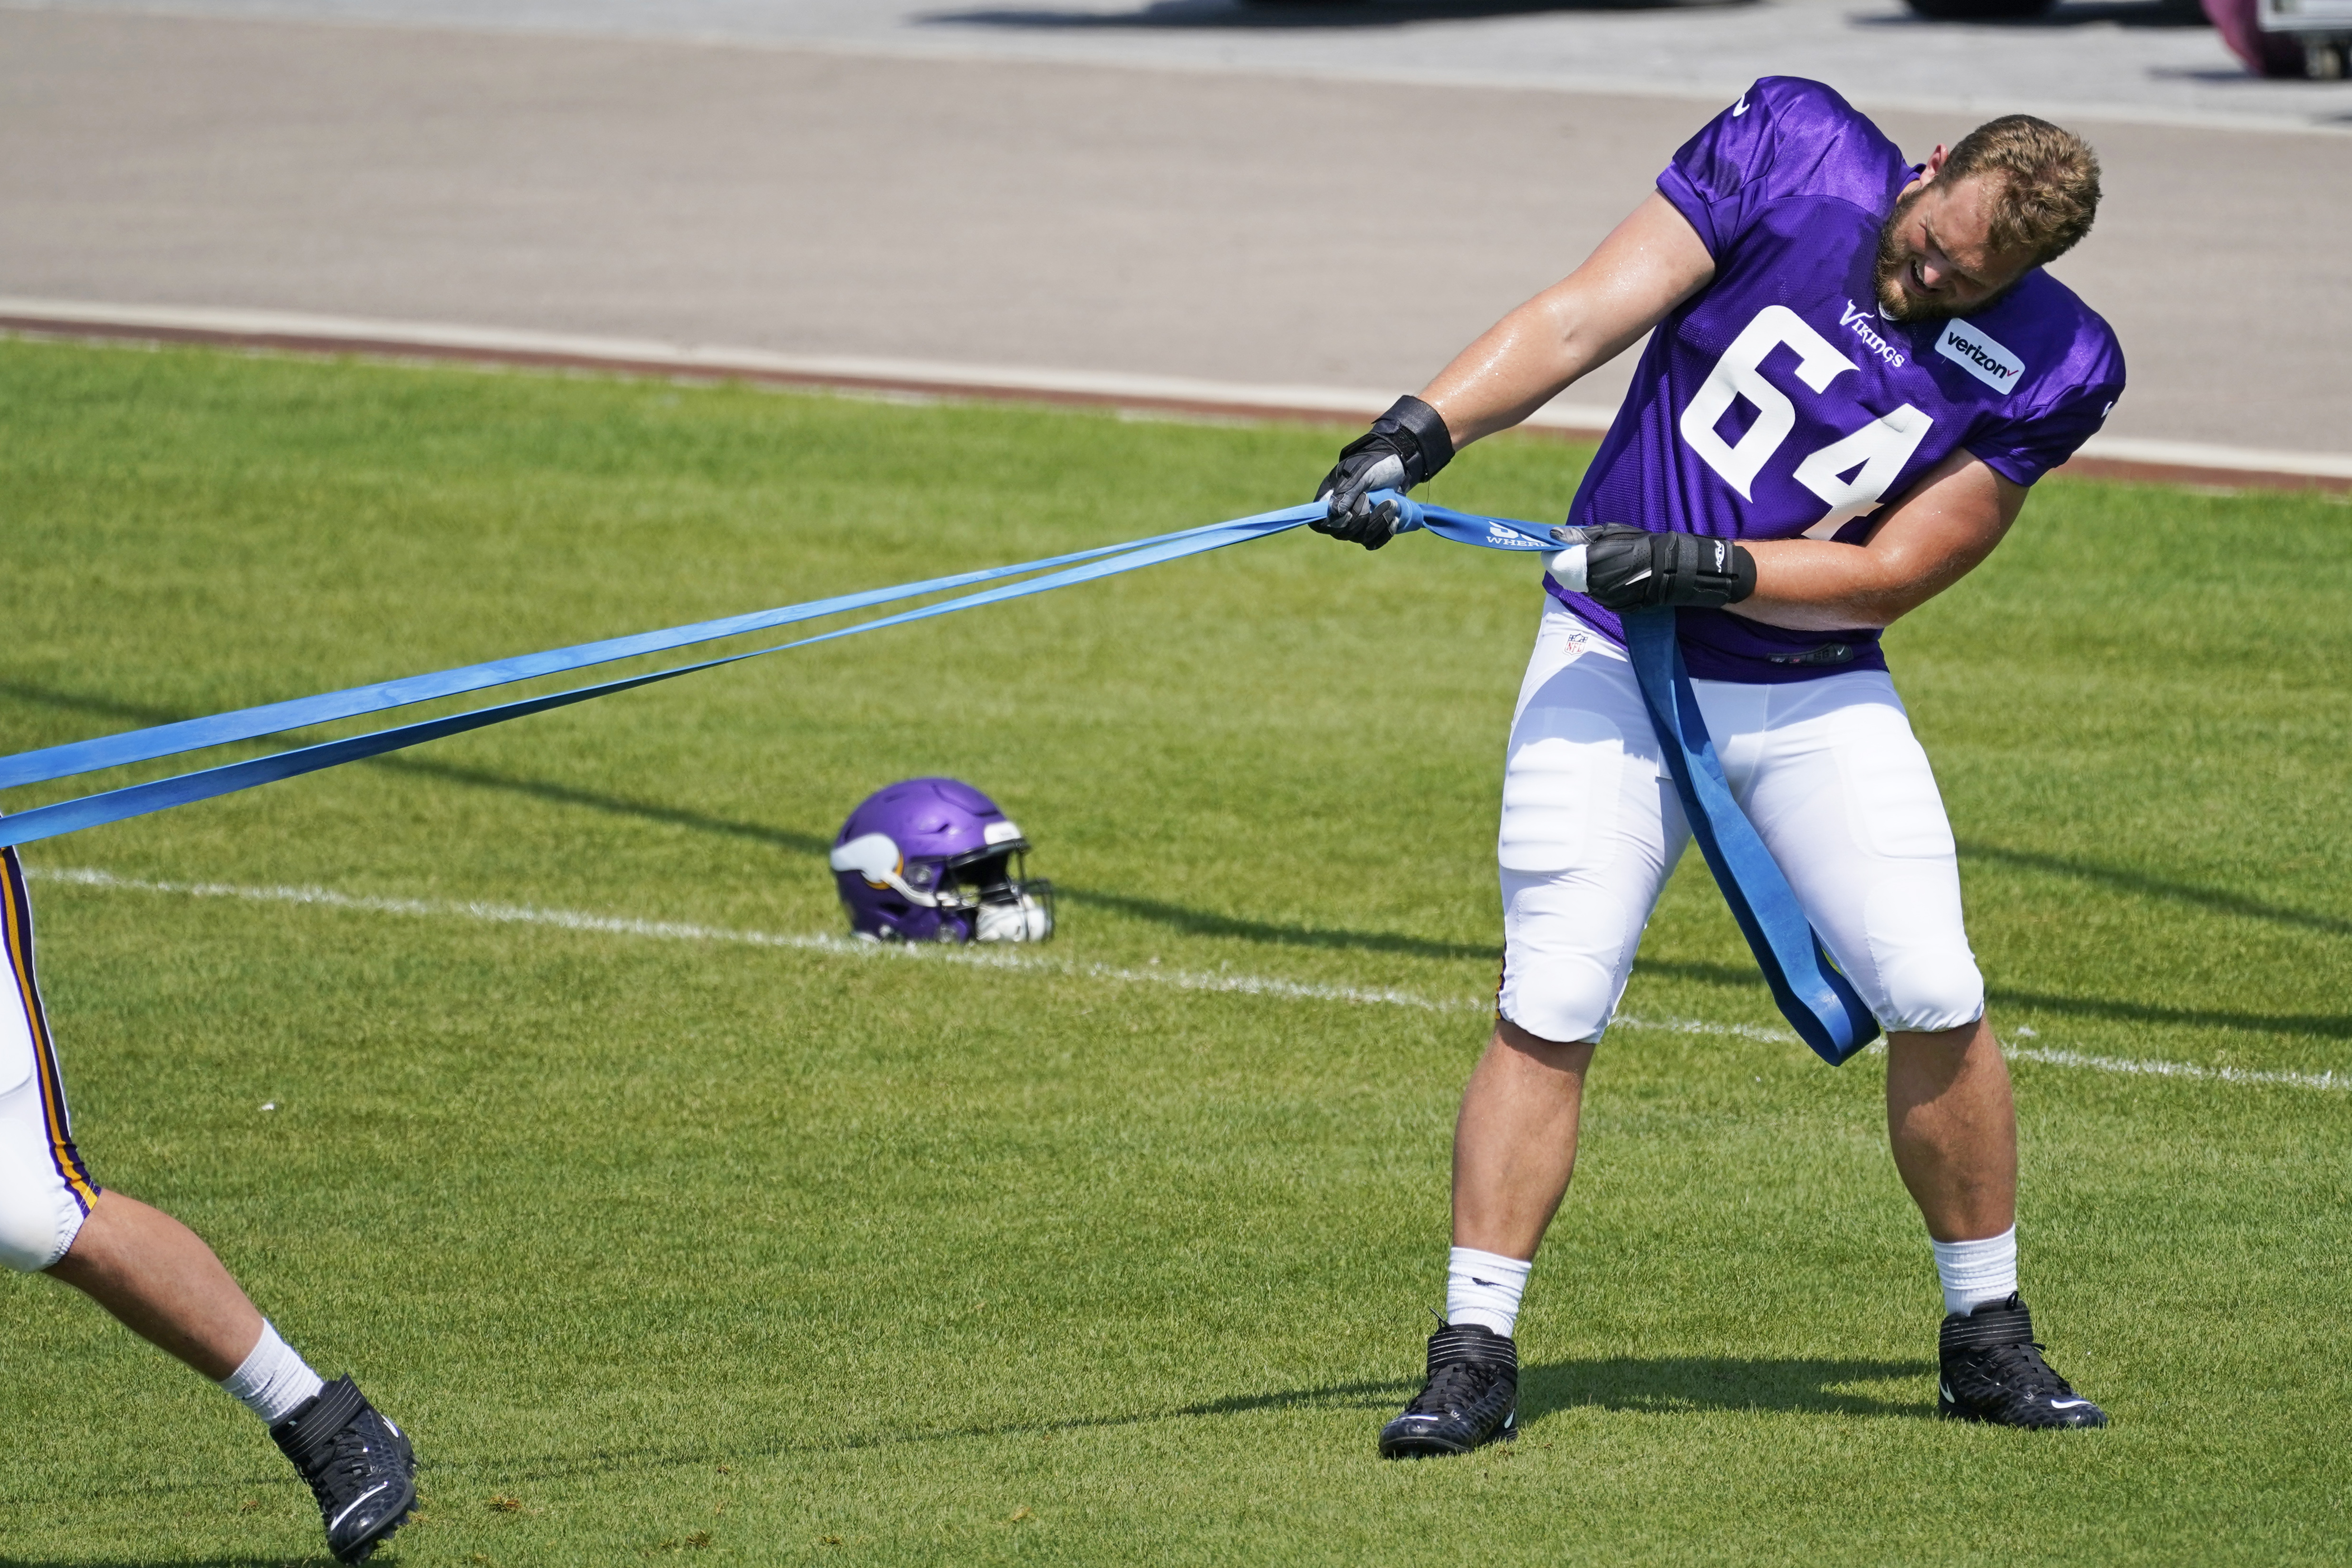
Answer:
(681, 1247)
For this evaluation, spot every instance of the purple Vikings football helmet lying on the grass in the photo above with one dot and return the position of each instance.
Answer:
(935, 862)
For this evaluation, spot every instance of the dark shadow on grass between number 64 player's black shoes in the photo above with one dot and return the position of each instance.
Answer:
(1666, 1386)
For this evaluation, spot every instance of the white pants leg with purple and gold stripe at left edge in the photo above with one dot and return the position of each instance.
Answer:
(44, 1188)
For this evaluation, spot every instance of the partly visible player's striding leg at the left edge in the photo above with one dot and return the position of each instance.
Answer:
(163, 1282)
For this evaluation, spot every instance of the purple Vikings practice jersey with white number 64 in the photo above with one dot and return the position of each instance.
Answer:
(1779, 403)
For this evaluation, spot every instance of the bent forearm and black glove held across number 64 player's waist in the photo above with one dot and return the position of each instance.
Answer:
(1920, 547)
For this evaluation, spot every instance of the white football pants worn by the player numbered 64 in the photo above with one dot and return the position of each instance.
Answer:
(1826, 770)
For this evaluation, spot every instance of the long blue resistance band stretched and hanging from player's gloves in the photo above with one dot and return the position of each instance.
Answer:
(1815, 998)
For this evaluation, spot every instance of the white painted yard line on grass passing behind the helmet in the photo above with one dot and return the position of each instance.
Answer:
(1182, 979)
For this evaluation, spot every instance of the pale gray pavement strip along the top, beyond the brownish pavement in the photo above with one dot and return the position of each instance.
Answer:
(2085, 58)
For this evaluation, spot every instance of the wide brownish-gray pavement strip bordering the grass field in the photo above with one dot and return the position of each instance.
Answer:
(1224, 227)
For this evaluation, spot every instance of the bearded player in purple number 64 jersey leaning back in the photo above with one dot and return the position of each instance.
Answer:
(1857, 370)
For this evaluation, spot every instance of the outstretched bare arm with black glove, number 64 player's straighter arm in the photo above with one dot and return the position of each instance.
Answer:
(1650, 264)
